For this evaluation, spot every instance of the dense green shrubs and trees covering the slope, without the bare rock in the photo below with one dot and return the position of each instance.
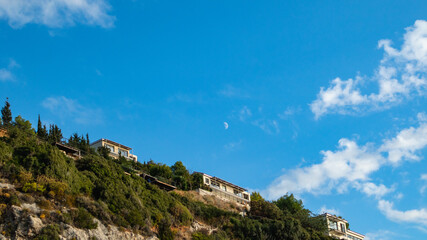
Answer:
(98, 186)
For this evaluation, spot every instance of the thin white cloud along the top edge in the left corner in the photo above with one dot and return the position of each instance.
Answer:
(56, 13)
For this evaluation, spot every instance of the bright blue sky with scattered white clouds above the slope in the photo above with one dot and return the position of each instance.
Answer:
(323, 99)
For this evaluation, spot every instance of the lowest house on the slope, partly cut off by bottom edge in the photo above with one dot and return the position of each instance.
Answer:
(338, 228)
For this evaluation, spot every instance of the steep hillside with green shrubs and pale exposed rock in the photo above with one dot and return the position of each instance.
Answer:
(47, 195)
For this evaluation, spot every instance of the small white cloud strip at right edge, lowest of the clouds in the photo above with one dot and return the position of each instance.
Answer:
(416, 216)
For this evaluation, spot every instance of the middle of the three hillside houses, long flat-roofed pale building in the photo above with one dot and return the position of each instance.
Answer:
(225, 190)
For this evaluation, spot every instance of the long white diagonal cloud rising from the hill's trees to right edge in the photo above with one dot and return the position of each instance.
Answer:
(351, 165)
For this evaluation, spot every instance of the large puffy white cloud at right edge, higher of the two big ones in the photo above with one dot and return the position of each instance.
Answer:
(401, 74)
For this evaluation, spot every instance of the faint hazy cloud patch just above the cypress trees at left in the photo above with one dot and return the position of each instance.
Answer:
(66, 108)
